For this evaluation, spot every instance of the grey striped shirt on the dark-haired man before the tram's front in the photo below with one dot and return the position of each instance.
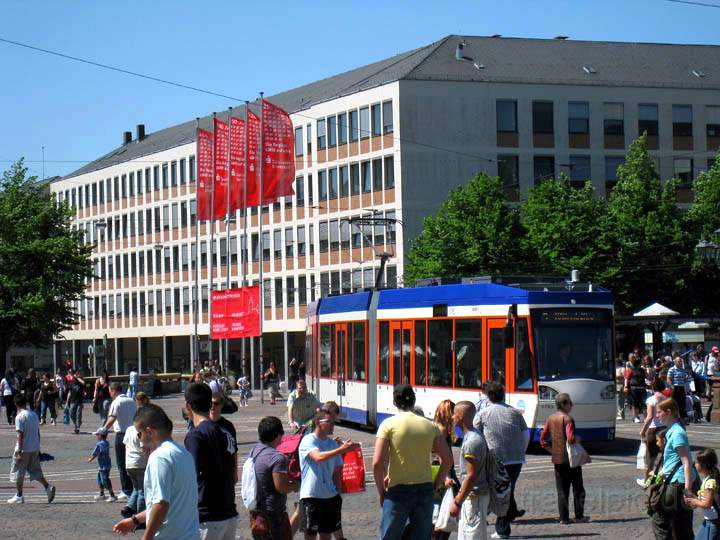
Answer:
(505, 431)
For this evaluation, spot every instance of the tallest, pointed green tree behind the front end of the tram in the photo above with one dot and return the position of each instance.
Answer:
(646, 249)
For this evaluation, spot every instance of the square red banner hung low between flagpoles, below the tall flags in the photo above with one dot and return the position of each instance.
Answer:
(236, 313)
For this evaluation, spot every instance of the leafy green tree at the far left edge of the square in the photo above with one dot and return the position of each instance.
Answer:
(43, 262)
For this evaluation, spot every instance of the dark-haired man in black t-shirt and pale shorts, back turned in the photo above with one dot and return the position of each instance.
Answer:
(215, 464)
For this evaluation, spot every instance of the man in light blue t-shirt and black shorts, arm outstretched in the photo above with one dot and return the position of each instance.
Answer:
(321, 467)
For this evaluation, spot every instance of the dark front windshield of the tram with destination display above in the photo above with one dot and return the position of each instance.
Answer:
(573, 343)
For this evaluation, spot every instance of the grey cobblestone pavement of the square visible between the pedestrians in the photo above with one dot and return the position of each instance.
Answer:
(614, 501)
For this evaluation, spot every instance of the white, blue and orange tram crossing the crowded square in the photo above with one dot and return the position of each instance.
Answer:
(538, 339)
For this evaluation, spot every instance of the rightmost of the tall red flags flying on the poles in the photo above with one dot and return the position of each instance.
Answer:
(278, 153)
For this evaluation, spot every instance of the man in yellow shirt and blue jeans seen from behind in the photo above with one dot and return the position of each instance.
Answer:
(401, 464)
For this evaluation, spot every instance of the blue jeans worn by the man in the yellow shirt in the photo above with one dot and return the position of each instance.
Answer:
(405, 502)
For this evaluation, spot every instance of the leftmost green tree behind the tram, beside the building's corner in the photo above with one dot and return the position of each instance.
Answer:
(474, 232)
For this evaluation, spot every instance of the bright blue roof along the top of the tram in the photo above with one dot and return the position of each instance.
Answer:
(462, 295)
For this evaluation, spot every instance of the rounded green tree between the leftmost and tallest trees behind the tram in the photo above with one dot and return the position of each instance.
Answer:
(562, 226)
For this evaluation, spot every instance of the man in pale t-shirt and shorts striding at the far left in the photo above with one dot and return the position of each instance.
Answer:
(26, 458)
